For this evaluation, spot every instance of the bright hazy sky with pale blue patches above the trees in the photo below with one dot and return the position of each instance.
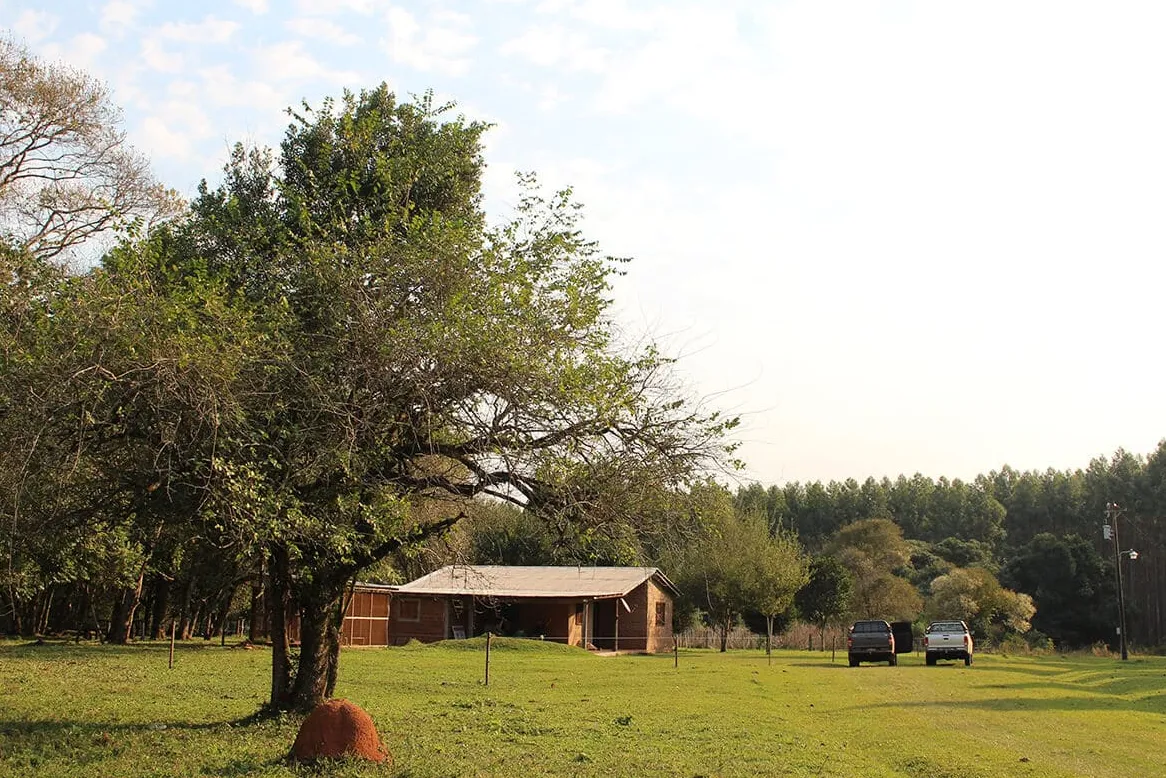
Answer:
(896, 237)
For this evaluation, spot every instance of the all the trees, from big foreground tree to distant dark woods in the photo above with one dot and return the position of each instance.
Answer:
(333, 367)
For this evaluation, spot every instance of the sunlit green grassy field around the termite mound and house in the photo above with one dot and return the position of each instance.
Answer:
(550, 711)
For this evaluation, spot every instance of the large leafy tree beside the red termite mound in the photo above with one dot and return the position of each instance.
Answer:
(404, 359)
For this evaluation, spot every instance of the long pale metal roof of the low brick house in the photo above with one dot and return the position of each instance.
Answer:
(505, 581)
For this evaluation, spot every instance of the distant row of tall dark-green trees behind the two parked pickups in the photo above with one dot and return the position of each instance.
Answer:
(1041, 532)
